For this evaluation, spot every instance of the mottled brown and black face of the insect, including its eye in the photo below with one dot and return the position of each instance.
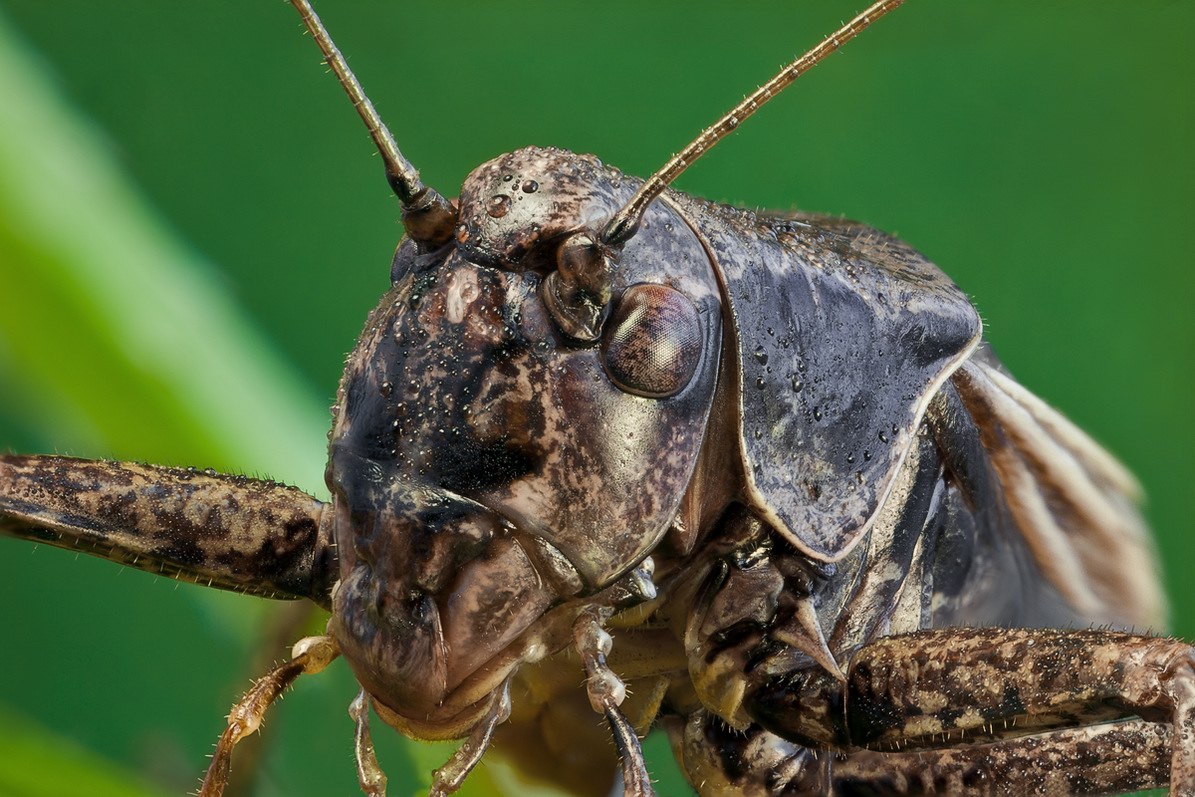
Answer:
(459, 524)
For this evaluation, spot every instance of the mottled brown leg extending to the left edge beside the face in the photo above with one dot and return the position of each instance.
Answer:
(222, 531)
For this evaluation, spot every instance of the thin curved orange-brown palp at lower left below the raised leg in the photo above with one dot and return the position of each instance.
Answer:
(309, 657)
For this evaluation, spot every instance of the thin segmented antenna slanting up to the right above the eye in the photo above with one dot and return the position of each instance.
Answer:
(627, 222)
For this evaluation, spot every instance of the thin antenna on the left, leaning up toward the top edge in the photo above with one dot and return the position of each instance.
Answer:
(428, 218)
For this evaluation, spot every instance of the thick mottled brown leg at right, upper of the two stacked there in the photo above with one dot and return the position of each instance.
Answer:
(998, 683)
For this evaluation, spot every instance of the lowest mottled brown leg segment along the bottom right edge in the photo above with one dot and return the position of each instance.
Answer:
(1111, 759)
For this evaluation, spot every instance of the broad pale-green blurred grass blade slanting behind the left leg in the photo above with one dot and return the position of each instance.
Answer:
(111, 323)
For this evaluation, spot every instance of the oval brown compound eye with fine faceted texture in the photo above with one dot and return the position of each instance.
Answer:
(653, 342)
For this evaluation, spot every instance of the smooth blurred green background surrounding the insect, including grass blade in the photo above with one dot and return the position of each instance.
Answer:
(193, 228)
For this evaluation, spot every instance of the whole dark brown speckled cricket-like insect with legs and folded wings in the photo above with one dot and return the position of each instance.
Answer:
(762, 470)
